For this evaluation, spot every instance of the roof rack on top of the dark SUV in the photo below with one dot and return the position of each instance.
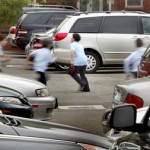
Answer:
(53, 6)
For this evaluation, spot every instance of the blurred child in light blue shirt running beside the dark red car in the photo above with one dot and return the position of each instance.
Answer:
(131, 63)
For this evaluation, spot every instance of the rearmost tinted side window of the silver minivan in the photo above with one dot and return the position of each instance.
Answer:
(86, 25)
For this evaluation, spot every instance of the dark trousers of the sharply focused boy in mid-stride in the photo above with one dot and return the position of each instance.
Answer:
(82, 80)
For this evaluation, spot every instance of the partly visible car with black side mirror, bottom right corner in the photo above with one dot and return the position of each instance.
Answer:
(124, 118)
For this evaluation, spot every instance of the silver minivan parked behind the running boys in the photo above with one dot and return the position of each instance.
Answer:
(107, 37)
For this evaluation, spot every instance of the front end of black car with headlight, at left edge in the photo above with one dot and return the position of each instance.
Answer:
(14, 103)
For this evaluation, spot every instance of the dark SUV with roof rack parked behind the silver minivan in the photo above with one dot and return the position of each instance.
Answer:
(38, 21)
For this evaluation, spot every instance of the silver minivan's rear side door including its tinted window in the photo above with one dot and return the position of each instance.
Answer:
(117, 38)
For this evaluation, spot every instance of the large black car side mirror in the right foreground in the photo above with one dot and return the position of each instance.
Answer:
(123, 117)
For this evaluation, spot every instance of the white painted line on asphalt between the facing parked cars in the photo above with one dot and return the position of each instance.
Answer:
(82, 107)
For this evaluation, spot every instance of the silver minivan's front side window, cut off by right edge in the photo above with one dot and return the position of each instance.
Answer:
(146, 25)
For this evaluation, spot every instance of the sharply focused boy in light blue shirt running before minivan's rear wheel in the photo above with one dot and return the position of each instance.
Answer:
(79, 61)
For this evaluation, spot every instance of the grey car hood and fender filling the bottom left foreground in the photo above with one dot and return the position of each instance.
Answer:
(59, 137)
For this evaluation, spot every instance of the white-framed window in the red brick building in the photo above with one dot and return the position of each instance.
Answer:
(134, 3)
